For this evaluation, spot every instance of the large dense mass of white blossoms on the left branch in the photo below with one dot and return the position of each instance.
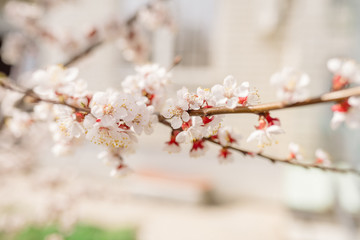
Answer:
(111, 118)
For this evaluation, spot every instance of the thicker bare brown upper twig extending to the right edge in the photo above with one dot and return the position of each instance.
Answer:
(266, 107)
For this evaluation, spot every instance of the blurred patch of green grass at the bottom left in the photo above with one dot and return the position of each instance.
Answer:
(81, 232)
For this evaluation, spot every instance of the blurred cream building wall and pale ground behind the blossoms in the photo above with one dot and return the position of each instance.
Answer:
(175, 196)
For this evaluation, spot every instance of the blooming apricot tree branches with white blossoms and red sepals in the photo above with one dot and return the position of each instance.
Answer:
(116, 118)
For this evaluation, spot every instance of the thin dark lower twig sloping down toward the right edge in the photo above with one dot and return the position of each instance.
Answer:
(276, 160)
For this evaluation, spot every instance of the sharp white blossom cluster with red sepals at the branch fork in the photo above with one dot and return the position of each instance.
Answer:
(197, 130)
